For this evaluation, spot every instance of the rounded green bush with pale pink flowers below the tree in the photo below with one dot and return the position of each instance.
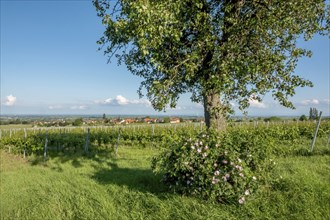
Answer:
(209, 167)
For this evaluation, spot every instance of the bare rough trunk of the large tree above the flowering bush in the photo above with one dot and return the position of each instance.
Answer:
(213, 112)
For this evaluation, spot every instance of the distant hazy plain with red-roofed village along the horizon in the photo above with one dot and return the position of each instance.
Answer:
(103, 120)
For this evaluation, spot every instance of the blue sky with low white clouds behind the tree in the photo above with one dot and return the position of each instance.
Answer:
(50, 65)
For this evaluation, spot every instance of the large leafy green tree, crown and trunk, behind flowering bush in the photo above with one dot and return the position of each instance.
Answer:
(219, 50)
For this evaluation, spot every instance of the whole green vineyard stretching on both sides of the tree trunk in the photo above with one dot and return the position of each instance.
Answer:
(35, 141)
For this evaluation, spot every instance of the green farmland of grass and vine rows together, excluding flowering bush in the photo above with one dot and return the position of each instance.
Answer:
(73, 182)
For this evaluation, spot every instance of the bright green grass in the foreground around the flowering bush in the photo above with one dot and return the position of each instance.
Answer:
(124, 187)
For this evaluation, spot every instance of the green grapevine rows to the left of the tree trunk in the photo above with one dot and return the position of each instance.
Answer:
(33, 140)
